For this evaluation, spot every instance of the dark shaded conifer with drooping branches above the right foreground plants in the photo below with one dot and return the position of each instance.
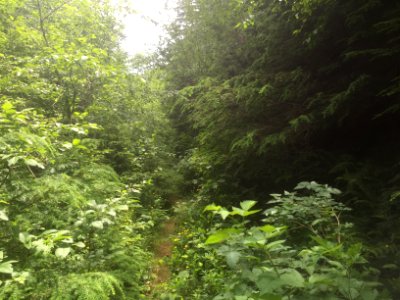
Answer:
(278, 92)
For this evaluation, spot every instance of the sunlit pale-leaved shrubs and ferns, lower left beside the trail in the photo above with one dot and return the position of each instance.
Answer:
(65, 220)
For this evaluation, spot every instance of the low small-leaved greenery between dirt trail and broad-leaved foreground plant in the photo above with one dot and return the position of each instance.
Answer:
(198, 273)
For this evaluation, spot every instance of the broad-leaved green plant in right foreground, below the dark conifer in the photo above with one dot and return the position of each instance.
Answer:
(265, 262)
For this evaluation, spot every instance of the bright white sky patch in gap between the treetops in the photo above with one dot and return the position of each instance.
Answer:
(144, 28)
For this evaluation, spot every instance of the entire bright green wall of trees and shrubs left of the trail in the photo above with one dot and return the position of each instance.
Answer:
(71, 227)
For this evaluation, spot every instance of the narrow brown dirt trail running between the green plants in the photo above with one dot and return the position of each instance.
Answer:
(160, 272)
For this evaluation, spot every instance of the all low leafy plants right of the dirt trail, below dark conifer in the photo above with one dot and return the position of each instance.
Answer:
(251, 261)
